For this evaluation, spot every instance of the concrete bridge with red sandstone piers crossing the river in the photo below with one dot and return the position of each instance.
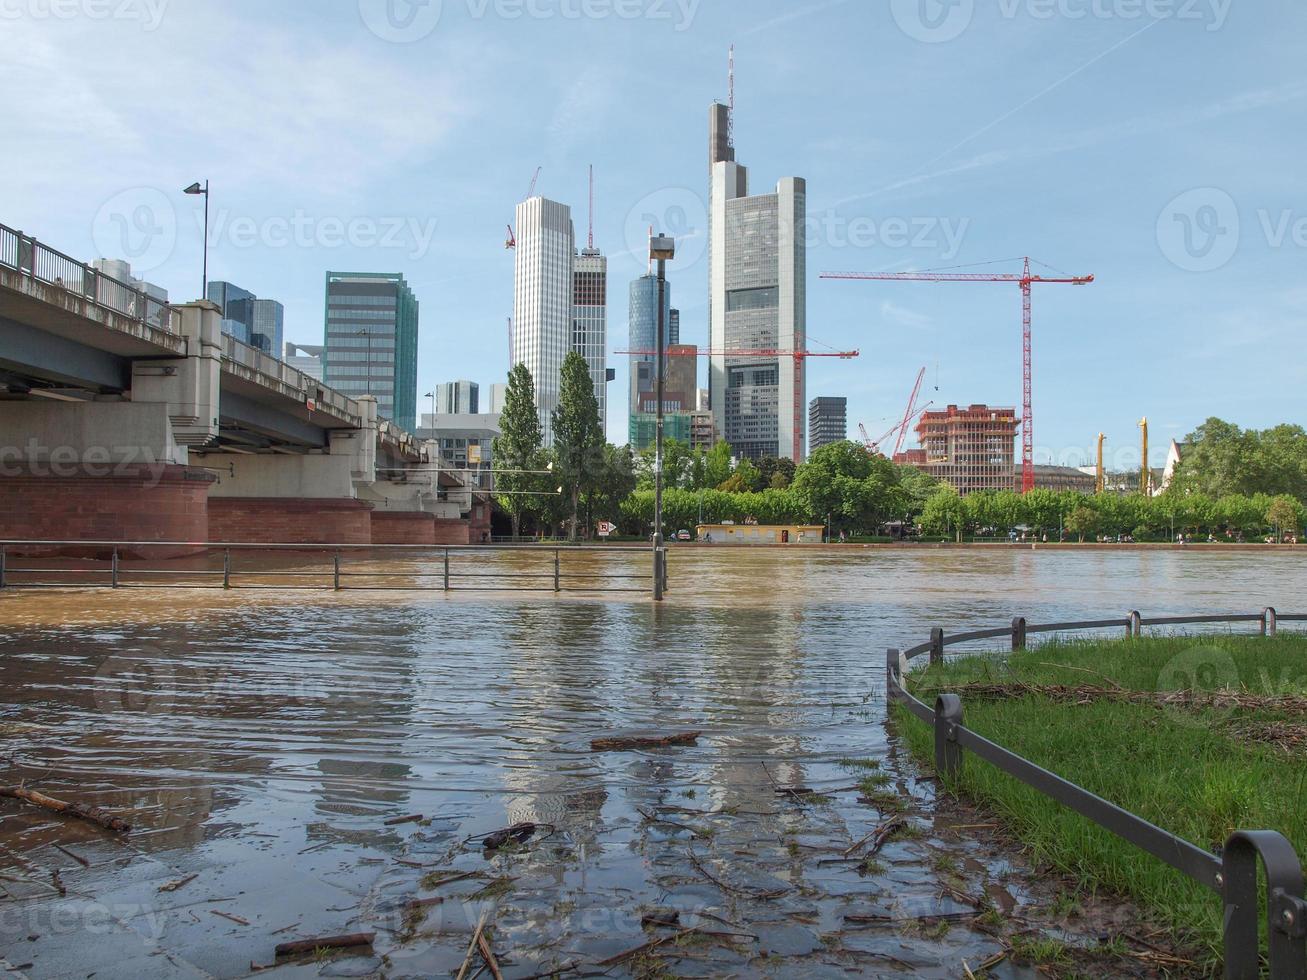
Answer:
(127, 419)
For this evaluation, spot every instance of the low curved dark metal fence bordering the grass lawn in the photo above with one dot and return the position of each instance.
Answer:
(1232, 875)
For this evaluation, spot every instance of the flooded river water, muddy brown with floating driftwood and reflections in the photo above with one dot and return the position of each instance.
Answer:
(259, 742)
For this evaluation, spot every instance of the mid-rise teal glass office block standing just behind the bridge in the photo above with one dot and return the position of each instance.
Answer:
(372, 342)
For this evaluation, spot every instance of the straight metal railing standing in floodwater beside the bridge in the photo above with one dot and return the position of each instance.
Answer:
(114, 568)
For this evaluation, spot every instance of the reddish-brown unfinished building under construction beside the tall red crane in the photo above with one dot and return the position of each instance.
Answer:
(970, 449)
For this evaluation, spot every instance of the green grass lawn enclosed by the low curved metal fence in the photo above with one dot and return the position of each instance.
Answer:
(1114, 718)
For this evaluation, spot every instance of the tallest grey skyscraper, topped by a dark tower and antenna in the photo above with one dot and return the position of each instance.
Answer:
(757, 301)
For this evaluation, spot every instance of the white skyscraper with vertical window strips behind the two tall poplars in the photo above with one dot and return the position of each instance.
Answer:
(544, 302)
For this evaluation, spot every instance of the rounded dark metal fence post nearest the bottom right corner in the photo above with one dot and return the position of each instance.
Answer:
(1287, 913)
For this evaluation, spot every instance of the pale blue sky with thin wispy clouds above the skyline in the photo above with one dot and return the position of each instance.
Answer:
(1156, 144)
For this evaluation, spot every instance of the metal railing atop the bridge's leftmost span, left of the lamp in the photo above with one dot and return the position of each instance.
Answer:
(45, 265)
